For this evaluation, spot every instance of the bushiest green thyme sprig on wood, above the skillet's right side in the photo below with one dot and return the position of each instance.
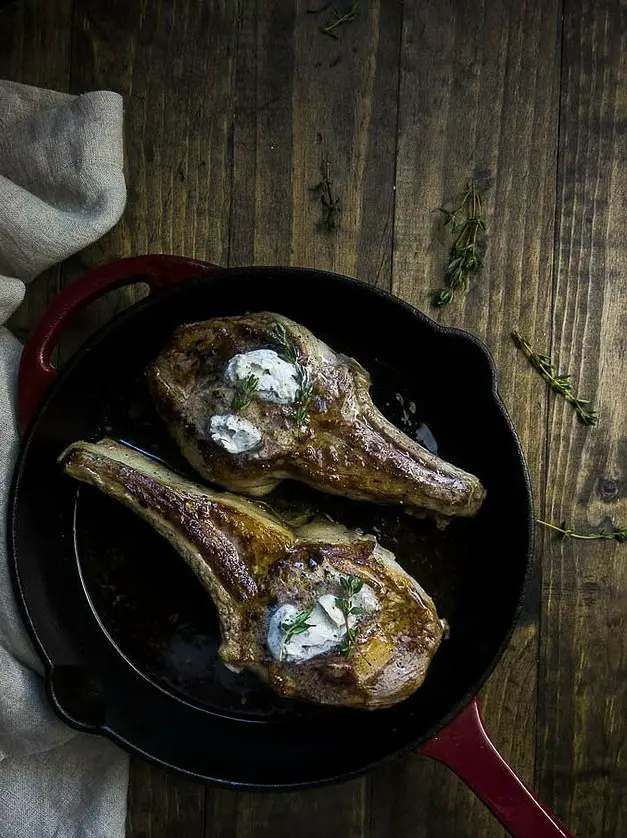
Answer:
(465, 257)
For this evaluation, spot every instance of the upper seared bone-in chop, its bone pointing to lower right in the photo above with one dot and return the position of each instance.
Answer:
(257, 399)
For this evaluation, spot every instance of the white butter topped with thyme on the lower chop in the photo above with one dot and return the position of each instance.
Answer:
(327, 627)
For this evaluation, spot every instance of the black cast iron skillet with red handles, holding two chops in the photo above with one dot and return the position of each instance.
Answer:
(128, 636)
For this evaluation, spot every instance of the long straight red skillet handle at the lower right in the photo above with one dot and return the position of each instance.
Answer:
(465, 747)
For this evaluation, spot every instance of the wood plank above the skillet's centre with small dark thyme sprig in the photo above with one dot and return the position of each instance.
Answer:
(302, 99)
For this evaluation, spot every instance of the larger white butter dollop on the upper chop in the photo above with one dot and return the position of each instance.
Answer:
(278, 379)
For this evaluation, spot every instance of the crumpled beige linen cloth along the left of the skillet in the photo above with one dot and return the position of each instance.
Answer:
(61, 188)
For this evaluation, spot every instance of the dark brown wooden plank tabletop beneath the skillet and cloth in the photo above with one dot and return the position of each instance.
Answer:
(230, 108)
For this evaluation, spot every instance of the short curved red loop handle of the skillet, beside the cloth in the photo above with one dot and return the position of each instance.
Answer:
(156, 270)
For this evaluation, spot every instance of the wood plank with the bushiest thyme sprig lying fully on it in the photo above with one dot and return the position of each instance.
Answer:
(479, 94)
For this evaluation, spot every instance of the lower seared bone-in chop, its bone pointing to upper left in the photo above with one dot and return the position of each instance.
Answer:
(320, 613)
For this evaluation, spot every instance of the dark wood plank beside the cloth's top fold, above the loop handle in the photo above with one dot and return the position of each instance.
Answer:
(173, 64)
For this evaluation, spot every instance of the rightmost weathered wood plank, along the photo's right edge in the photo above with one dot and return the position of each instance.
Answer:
(582, 761)
